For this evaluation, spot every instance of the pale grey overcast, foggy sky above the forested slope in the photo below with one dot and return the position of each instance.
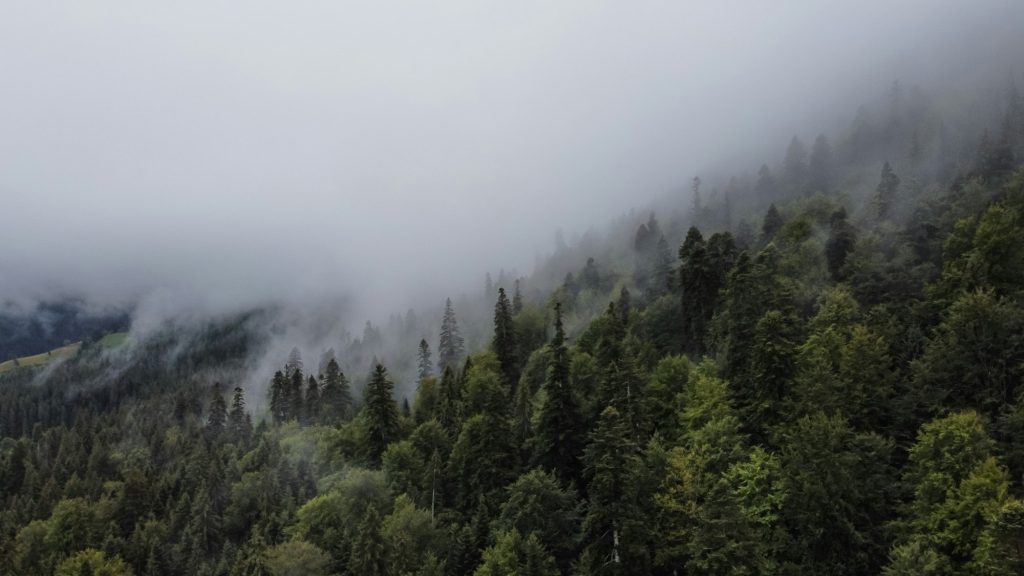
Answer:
(232, 152)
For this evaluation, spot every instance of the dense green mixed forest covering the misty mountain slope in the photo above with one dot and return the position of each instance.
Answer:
(814, 369)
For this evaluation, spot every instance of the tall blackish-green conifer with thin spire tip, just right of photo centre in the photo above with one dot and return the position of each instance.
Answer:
(559, 441)
